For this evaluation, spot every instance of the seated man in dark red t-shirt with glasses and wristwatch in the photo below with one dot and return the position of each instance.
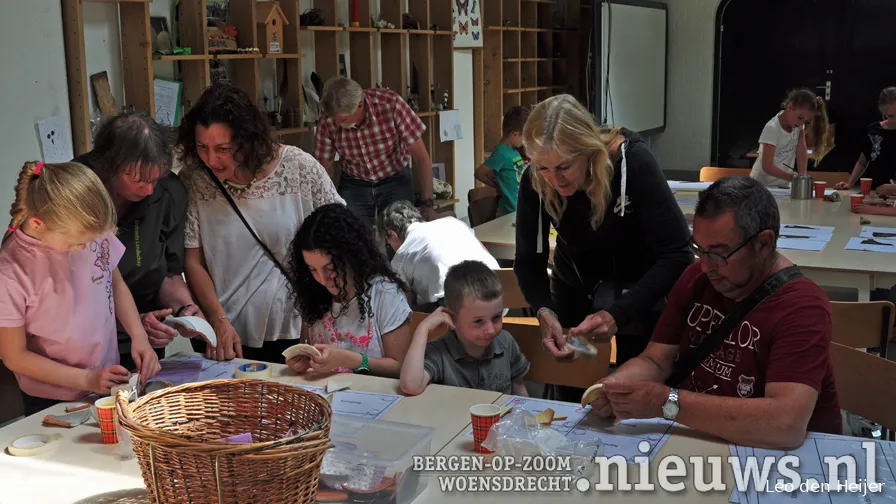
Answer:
(771, 379)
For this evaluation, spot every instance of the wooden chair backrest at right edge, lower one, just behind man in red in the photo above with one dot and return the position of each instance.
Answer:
(866, 384)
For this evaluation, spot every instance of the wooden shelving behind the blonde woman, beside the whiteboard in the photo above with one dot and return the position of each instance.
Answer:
(531, 51)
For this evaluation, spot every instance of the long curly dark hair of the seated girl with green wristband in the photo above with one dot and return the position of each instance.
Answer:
(337, 232)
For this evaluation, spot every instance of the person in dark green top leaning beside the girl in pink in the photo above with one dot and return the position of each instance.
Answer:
(132, 156)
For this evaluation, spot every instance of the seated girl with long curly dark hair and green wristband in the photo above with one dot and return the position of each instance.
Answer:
(353, 305)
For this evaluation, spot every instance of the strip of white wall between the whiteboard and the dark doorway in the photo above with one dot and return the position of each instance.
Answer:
(686, 144)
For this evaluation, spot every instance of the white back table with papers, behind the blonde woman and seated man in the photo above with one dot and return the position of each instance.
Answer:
(833, 266)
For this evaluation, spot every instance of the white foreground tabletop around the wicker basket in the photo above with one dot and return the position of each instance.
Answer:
(82, 467)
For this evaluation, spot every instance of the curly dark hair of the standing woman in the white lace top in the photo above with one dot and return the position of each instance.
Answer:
(251, 132)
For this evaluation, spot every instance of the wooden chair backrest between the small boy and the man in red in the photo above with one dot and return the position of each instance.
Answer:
(581, 373)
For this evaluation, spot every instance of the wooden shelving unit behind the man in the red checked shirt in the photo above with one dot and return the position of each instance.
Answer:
(430, 51)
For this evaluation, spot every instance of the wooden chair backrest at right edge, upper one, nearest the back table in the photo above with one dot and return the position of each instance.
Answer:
(863, 324)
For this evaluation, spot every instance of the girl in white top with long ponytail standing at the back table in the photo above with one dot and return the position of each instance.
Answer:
(783, 147)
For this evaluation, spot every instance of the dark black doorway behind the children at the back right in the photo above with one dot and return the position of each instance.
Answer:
(765, 48)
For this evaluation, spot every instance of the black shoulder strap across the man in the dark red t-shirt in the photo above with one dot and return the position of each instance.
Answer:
(689, 363)
